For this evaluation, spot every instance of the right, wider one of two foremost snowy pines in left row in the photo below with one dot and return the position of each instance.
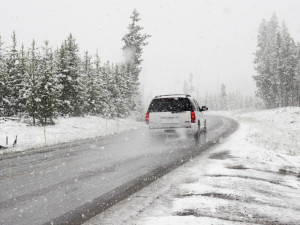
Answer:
(48, 87)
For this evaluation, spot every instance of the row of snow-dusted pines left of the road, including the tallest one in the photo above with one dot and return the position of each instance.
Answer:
(43, 83)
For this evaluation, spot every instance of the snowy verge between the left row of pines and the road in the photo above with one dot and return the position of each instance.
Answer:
(65, 130)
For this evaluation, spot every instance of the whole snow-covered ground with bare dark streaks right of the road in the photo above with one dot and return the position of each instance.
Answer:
(253, 177)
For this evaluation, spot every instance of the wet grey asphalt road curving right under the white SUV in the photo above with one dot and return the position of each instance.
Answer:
(72, 183)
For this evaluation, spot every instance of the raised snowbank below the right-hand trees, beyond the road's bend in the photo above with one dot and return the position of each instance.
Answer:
(276, 129)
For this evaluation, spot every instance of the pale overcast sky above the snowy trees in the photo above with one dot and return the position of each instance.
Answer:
(213, 40)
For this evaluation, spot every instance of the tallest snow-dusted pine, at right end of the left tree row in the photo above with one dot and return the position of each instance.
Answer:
(134, 41)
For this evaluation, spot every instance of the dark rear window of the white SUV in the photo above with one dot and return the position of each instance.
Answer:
(170, 105)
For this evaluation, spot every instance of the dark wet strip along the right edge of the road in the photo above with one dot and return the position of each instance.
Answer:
(88, 210)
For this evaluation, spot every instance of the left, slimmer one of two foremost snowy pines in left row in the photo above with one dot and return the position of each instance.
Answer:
(32, 95)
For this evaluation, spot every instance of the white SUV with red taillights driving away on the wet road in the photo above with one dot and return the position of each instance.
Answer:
(178, 111)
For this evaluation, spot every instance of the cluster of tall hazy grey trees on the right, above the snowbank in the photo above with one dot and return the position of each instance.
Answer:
(277, 62)
